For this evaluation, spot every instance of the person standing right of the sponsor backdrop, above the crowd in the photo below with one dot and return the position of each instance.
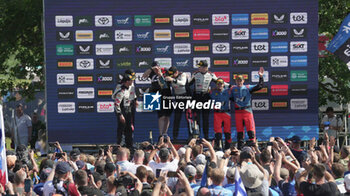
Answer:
(331, 123)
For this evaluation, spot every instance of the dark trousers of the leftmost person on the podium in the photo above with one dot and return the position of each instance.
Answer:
(126, 129)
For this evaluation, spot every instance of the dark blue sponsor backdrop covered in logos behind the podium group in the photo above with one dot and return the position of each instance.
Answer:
(90, 43)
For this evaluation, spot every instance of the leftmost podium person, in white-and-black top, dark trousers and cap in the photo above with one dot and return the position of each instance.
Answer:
(123, 109)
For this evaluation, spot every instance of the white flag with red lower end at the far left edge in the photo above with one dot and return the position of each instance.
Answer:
(3, 164)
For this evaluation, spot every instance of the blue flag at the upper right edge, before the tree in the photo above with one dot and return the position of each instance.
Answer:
(340, 45)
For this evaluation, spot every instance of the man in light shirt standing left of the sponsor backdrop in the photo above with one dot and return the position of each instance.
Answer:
(24, 127)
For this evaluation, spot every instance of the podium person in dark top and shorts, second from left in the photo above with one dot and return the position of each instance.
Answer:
(158, 84)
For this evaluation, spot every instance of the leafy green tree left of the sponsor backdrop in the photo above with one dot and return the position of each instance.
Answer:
(21, 46)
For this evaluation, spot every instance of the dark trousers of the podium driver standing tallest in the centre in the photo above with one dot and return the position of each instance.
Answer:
(204, 97)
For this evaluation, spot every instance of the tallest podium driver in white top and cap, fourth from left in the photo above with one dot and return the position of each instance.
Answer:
(202, 80)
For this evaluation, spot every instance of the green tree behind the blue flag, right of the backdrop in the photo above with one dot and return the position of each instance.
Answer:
(332, 13)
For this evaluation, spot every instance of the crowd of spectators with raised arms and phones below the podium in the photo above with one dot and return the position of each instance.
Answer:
(279, 167)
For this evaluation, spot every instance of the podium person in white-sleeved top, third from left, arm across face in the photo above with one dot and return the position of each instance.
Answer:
(178, 81)
